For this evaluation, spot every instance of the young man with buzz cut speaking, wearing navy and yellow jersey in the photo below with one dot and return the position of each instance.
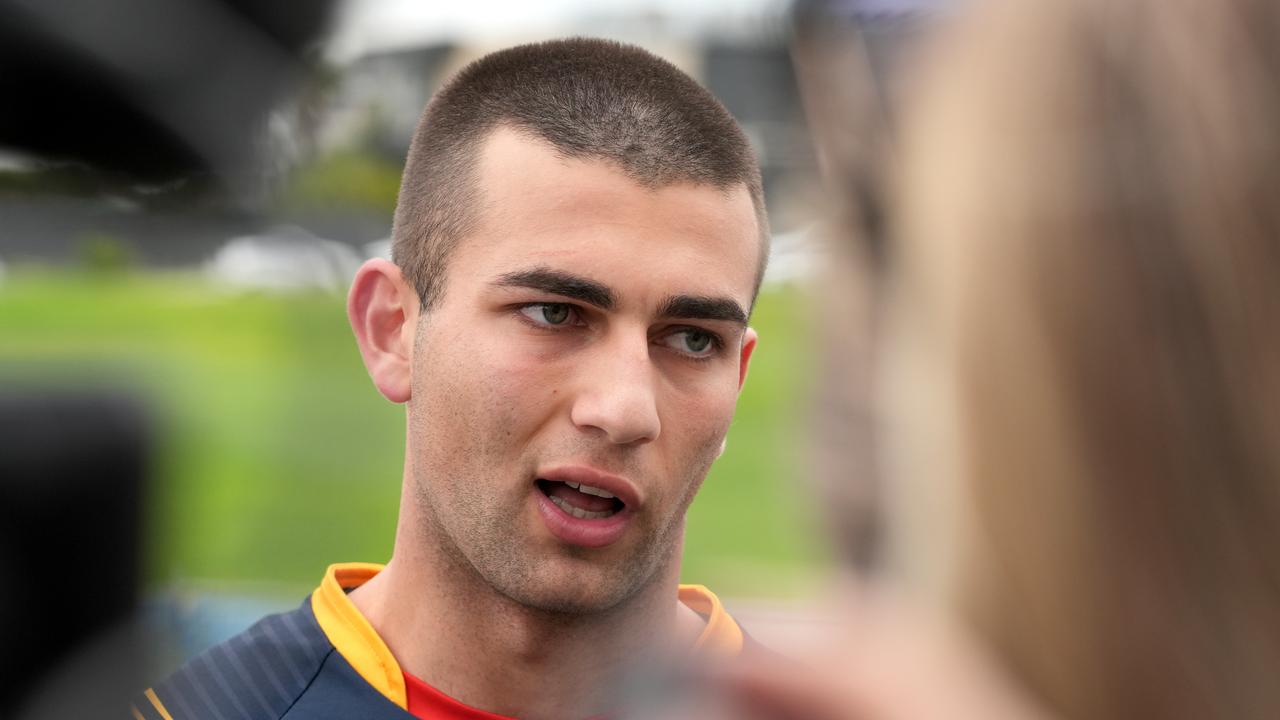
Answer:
(579, 241)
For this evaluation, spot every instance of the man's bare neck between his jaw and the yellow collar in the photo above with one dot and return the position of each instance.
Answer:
(493, 654)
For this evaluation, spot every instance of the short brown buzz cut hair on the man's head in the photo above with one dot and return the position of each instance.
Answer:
(589, 99)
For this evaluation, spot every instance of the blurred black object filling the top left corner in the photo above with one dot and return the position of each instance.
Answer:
(149, 90)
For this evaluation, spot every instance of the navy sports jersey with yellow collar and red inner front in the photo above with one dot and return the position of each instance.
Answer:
(324, 662)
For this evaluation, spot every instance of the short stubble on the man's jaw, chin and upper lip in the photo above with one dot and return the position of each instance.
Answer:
(472, 521)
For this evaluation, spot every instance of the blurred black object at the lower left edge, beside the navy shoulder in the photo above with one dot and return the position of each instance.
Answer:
(72, 472)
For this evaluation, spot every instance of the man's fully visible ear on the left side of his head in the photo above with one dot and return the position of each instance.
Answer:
(383, 312)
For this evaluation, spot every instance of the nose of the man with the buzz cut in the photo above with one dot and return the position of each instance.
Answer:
(618, 393)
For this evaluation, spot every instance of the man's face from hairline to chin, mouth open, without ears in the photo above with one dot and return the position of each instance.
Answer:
(592, 335)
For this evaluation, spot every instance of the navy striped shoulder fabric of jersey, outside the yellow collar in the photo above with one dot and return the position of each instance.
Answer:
(282, 668)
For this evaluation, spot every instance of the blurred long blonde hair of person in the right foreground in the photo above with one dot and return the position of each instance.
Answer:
(1090, 275)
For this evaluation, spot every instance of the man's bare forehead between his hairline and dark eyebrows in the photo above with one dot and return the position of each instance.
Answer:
(543, 208)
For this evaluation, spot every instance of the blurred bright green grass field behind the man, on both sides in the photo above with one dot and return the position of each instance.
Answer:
(276, 455)
